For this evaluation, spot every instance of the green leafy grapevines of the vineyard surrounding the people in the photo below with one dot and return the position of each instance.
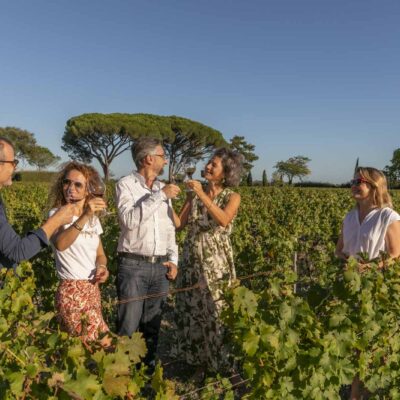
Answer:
(302, 324)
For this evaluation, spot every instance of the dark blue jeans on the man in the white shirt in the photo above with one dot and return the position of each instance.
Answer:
(136, 279)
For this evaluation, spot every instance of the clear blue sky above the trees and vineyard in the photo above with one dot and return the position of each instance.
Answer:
(295, 77)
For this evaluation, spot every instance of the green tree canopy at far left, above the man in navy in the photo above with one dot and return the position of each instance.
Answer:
(27, 149)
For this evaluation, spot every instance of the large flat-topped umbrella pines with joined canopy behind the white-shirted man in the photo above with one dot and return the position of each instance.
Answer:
(105, 136)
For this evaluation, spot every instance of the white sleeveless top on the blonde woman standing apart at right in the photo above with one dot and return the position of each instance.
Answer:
(369, 236)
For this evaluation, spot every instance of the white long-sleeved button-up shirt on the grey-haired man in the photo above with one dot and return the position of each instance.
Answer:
(145, 218)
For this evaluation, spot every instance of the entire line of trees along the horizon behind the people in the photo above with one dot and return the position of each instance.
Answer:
(103, 137)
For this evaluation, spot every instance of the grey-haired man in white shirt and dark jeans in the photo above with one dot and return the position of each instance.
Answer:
(148, 254)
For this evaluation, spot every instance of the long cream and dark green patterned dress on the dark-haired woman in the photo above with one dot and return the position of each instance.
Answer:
(207, 258)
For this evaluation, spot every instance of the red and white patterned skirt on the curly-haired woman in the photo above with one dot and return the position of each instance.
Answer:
(78, 304)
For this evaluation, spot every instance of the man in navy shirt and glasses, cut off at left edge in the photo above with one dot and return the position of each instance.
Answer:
(13, 248)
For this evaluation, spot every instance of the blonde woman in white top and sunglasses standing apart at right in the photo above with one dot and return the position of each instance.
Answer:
(370, 228)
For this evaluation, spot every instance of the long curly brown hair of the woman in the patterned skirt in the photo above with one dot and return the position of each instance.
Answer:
(56, 194)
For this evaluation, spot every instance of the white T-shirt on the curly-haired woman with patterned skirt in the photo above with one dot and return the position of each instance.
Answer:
(78, 261)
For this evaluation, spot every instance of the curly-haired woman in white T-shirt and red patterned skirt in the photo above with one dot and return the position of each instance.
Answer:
(80, 260)
